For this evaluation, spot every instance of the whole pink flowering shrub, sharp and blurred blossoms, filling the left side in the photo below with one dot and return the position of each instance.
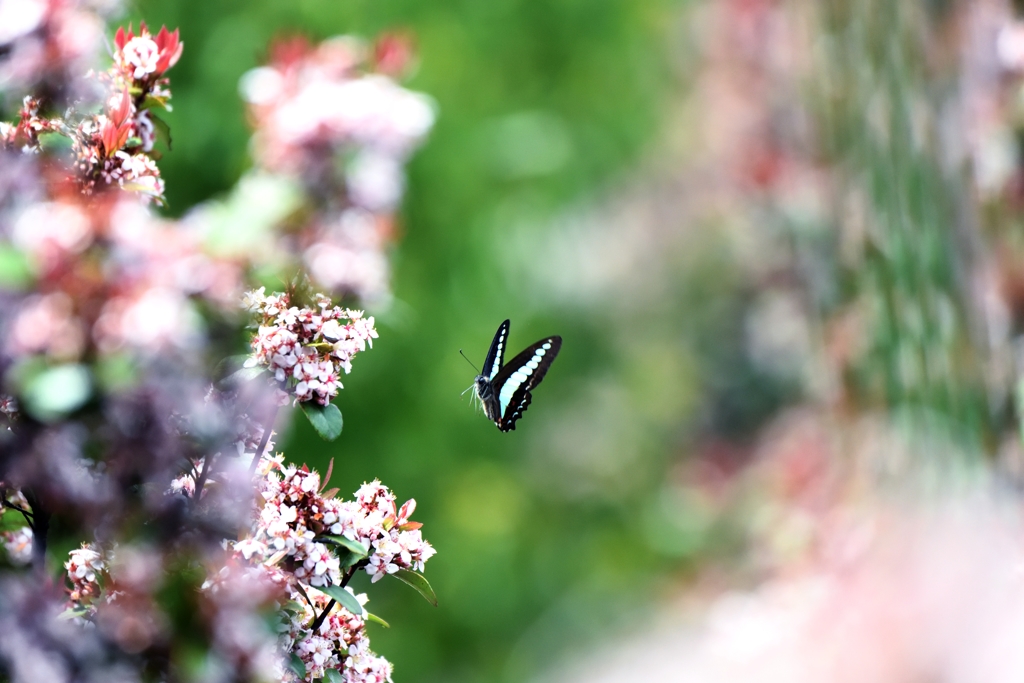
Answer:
(105, 348)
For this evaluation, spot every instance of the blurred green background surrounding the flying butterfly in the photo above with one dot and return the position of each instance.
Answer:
(530, 201)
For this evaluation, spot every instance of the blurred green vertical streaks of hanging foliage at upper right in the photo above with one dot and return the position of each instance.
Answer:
(887, 95)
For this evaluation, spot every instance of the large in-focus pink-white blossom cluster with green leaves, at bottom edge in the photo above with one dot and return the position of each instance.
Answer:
(292, 541)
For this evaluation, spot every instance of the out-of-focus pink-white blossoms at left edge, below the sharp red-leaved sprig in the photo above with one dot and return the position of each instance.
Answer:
(143, 297)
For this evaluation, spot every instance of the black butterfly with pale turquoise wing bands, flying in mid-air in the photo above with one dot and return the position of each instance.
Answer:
(504, 390)
